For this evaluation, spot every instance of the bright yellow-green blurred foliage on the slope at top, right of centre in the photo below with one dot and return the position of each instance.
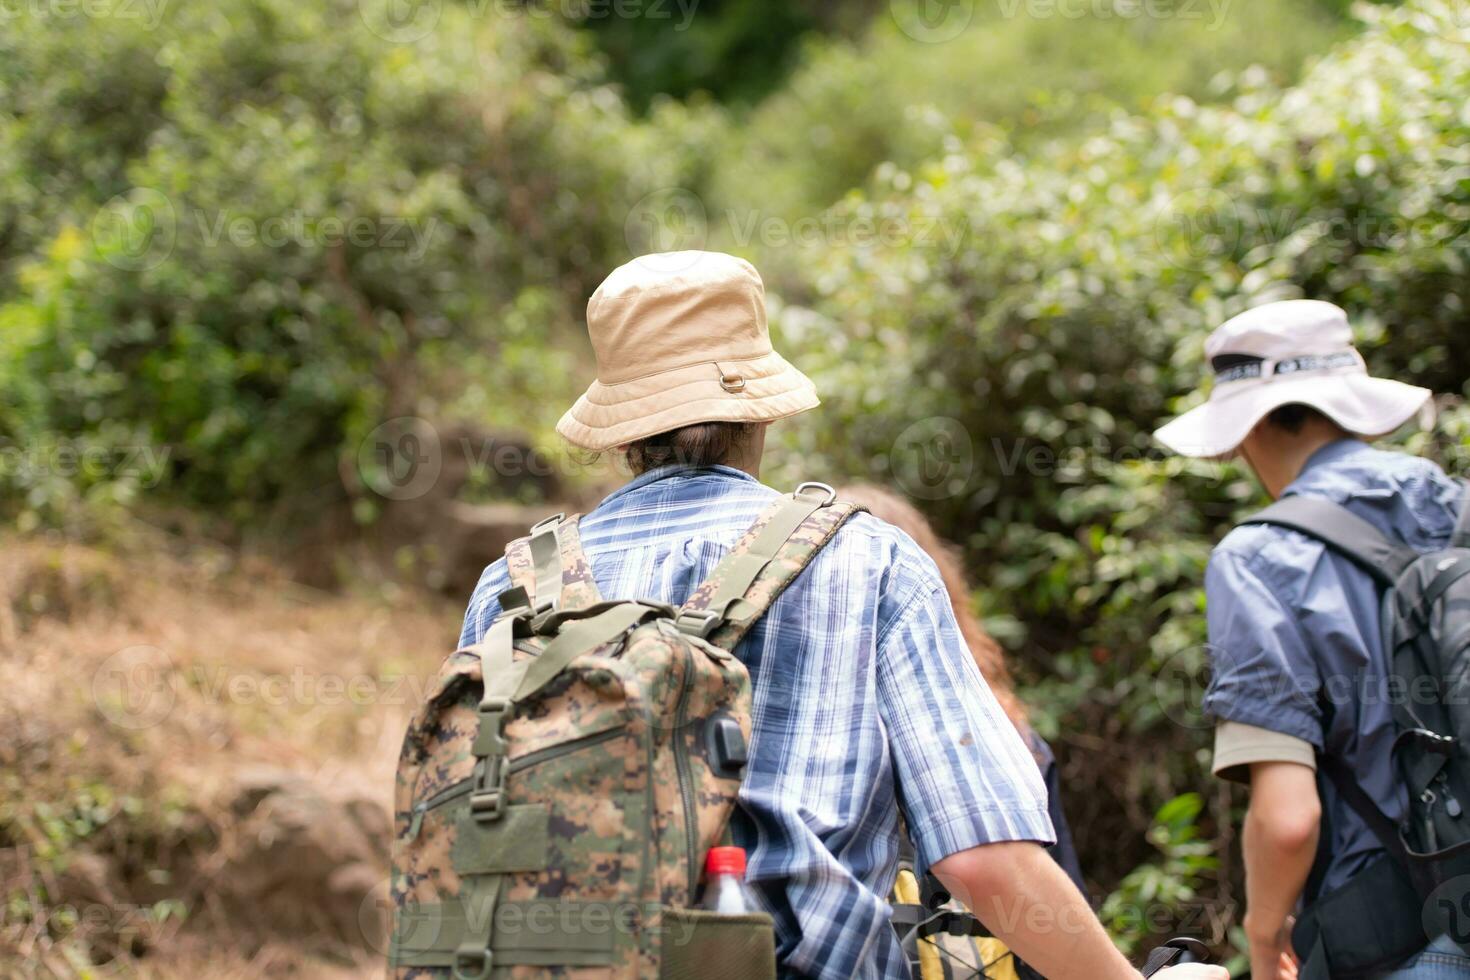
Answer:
(1019, 67)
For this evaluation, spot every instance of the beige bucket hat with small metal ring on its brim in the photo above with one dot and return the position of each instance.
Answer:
(681, 339)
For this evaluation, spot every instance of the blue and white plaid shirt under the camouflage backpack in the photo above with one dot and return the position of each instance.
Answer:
(867, 703)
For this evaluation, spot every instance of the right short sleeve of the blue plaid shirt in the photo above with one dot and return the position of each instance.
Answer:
(965, 775)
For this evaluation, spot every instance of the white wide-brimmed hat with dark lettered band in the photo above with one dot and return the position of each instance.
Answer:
(1299, 352)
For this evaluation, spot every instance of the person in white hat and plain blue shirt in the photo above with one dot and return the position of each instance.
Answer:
(1302, 675)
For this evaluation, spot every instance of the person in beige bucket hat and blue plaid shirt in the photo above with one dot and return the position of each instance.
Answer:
(862, 697)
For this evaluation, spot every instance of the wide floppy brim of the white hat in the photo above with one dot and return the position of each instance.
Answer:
(1362, 405)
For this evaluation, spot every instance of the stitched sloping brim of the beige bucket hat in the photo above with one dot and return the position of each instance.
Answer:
(609, 417)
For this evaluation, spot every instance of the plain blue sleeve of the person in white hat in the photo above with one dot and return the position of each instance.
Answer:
(1263, 671)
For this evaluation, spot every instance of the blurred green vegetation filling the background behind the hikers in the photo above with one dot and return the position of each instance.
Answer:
(239, 239)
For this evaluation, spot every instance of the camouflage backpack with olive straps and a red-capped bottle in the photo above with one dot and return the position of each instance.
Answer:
(564, 781)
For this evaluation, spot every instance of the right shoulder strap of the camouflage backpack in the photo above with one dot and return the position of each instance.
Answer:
(777, 549)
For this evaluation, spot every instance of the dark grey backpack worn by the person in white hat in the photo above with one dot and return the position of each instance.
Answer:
(1396, 907)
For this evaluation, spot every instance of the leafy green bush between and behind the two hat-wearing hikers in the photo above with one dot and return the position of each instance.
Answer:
(1012, 384)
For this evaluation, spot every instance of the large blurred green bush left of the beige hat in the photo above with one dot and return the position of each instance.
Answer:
(264, 228)
